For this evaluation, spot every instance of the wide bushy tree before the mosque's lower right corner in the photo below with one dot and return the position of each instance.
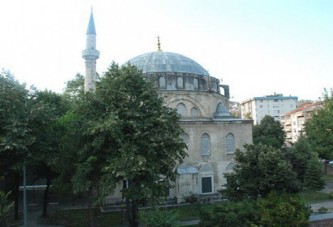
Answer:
(259, 170)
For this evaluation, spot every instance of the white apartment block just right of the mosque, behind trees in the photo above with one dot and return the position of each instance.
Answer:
(273, 105)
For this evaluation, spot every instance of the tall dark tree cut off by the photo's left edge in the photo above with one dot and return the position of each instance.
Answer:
(15, 134)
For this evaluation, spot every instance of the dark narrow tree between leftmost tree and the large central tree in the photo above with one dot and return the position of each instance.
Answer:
(46, 109)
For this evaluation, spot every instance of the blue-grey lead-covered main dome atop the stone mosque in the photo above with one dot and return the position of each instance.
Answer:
(160, 61)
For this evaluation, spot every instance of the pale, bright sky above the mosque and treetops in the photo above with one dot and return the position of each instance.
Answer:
(257, 47)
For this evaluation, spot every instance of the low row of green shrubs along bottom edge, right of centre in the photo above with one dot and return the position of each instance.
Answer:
(275, 209)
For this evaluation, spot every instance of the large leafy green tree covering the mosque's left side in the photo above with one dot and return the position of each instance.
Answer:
(130, 137)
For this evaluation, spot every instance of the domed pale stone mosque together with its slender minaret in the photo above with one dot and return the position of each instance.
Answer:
(212, 135)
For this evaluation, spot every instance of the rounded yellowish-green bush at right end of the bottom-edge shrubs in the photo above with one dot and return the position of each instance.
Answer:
(277, 210)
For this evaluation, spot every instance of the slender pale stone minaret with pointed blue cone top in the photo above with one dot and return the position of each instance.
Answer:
(90, 55)
